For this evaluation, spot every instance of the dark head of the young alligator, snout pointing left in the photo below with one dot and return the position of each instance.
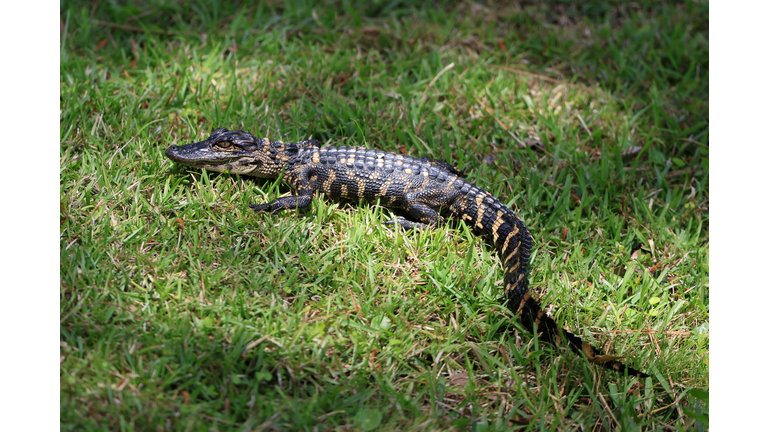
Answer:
(236, 152)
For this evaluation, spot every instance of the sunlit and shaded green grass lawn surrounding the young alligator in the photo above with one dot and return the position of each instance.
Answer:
(183, 310)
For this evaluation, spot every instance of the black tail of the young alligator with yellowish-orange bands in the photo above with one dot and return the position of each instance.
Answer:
(514, 243)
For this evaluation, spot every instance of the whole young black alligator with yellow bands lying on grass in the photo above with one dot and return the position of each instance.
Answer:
(423, 187)
